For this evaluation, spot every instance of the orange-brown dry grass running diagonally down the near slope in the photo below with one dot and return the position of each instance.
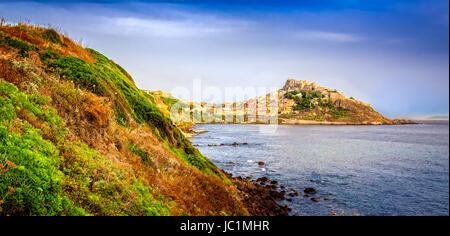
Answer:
(89, 119)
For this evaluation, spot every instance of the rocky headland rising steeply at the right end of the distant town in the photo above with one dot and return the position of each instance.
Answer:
(302, 101)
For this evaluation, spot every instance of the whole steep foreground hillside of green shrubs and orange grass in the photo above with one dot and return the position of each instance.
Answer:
(77, 137)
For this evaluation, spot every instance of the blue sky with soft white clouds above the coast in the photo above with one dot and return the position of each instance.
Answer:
(391, 54)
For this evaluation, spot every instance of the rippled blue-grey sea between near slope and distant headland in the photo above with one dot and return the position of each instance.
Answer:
(362, 170)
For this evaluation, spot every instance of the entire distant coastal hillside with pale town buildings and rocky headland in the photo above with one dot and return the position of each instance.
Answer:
(298, 102)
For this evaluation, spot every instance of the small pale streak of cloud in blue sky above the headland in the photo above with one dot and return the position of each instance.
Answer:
(329, 36)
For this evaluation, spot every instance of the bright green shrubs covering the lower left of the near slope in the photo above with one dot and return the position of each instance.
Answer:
(35, 171)
